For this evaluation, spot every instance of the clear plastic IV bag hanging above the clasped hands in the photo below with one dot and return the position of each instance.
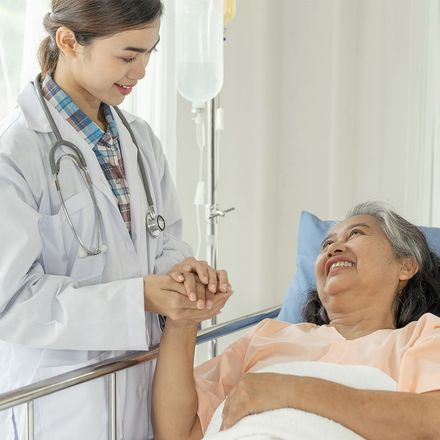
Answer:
(199, 49)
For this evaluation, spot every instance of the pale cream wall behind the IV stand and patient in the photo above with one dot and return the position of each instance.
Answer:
(322, 103)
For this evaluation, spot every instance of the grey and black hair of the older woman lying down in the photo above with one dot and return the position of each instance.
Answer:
(421, 293)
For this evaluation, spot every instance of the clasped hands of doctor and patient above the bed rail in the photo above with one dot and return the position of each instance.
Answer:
(190, 291)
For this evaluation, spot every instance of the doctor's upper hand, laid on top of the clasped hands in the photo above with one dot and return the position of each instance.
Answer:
(192, 273)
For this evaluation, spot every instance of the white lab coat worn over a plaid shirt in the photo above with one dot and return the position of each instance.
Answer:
(59, 312)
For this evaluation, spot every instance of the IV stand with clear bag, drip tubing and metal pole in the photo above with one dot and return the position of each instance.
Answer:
(205, 108)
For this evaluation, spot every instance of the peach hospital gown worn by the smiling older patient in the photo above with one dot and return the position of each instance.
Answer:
(410, 355)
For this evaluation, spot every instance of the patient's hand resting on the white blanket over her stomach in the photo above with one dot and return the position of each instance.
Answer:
(255, 393)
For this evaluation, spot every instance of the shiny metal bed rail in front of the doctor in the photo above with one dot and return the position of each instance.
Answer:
(27, 394)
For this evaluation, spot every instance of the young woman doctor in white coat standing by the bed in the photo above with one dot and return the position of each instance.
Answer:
(82, 278)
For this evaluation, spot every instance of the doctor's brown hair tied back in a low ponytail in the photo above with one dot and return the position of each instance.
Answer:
(90, 19)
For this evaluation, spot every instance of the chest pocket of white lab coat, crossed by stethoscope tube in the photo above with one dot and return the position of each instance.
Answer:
(61, 250)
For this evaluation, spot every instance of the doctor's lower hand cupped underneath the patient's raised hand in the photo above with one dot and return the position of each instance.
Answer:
(165, 296)
